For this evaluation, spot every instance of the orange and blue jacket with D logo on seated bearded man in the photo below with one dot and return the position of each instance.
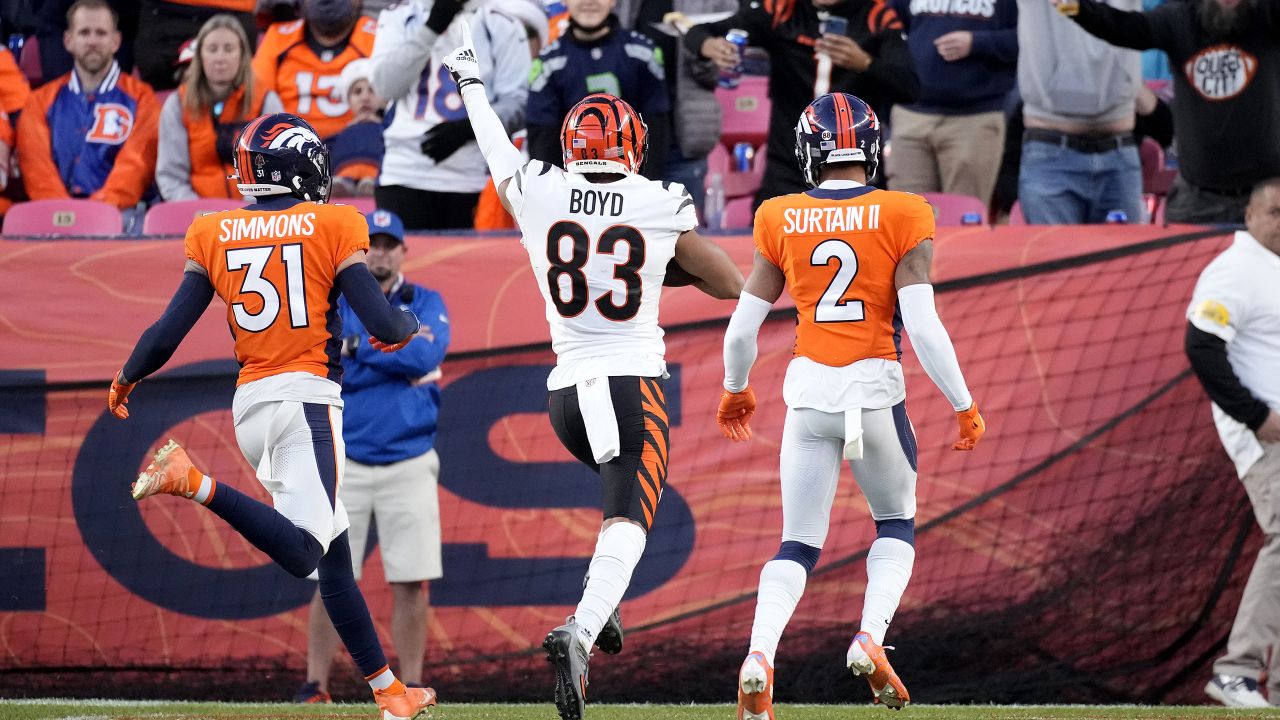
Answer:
(100, 145)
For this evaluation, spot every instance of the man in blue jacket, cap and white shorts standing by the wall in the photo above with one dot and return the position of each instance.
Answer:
(390, 413)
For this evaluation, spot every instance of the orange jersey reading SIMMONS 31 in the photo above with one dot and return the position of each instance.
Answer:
(276, 271)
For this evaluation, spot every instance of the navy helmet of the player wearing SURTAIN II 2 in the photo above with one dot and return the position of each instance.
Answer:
(838, 129)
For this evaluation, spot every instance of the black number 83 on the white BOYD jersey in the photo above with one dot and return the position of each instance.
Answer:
(572, 267)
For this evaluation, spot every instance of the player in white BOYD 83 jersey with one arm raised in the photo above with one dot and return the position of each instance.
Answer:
(600, 239)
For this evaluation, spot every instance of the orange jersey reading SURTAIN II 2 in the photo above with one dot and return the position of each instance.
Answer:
(840, 250)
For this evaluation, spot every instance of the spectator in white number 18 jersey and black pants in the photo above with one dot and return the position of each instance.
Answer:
(432, 172)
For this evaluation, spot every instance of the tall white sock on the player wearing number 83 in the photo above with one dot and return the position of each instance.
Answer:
(618, 552)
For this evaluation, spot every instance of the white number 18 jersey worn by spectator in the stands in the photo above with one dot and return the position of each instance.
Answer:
(502, 49)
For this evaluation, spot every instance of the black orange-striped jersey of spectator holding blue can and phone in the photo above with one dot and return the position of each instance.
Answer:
(788, 30)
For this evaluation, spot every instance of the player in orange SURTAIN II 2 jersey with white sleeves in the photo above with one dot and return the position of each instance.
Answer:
(857, 263)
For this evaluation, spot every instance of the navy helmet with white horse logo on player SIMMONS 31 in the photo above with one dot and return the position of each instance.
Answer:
(281, 154)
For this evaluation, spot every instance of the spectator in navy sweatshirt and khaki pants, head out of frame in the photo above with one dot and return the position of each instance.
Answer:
(950, 139)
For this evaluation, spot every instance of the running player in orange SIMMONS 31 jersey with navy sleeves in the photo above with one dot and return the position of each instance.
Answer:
(280, 265)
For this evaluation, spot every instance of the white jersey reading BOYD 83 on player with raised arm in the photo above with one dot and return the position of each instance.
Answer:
(600, 254)
